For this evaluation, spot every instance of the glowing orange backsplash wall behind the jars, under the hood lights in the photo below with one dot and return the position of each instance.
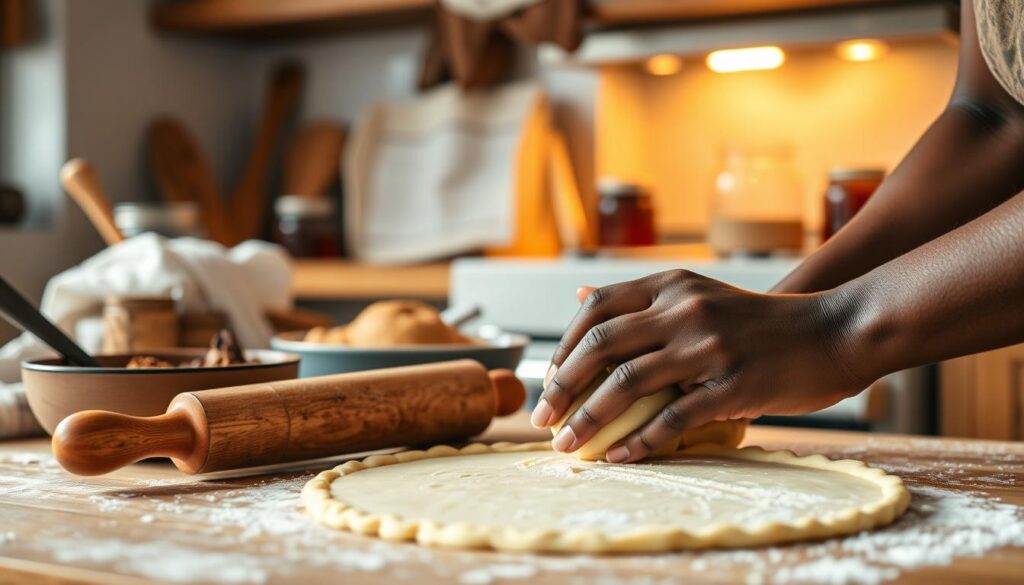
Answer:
(669, 132)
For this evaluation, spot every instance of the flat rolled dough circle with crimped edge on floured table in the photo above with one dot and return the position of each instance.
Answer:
(528, 498)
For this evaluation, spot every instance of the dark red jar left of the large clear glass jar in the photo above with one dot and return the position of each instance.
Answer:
(627, 215)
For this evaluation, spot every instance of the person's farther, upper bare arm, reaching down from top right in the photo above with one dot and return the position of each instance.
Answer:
(965, 165)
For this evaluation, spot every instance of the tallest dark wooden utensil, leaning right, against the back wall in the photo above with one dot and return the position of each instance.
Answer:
(248, 204)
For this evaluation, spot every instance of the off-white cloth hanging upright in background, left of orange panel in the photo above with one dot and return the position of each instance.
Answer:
(435, 177)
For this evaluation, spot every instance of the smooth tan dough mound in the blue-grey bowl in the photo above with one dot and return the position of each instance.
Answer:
(395, 323)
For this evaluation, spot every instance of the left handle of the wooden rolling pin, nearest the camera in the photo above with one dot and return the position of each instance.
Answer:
(93, 443)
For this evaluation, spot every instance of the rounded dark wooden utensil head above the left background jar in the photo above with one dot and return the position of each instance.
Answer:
(314, 159)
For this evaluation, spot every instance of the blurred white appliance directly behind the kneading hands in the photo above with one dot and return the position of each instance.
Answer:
(538, 299)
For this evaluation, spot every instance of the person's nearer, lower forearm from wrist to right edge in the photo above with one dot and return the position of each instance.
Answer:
(960, 295)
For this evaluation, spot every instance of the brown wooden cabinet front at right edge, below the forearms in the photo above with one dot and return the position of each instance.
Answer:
(983, 396)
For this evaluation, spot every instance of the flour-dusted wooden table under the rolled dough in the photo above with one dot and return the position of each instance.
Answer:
(151, 523)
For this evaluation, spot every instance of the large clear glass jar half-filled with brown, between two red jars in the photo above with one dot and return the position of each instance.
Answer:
(757, 208)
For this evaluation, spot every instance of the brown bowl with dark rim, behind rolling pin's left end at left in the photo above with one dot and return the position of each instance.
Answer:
(56, 390)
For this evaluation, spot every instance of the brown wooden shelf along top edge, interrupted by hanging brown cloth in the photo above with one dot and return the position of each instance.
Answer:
(294, 18)
